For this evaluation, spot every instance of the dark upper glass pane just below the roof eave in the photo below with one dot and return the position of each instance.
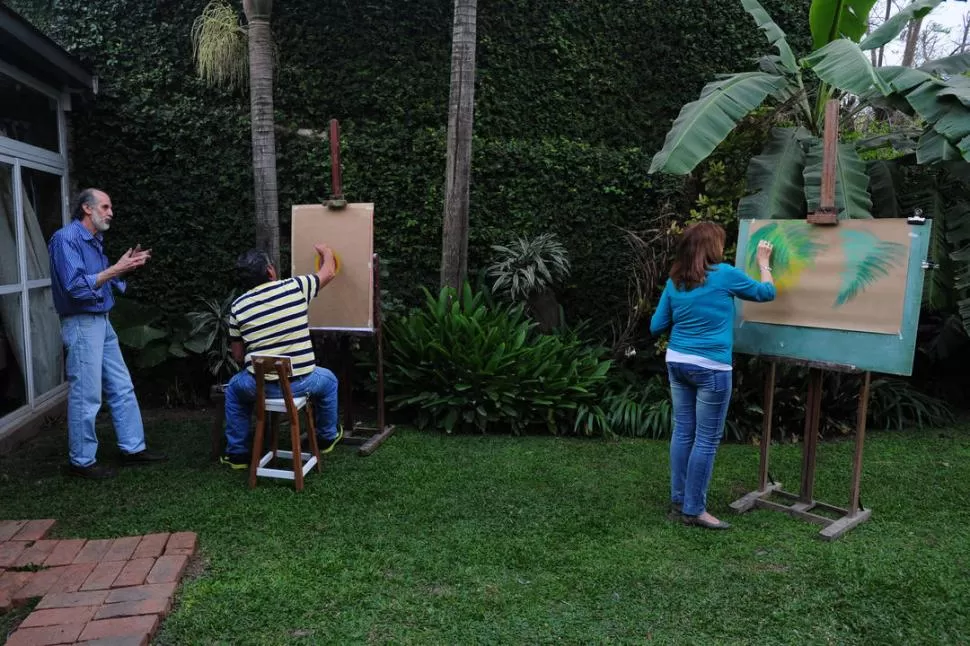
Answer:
(27, 115)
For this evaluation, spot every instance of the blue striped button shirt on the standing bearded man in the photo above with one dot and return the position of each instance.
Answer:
(77, 257)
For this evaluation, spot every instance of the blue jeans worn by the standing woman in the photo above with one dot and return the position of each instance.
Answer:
(700, 402)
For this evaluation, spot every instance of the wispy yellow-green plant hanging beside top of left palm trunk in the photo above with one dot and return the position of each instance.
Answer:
(219, 46)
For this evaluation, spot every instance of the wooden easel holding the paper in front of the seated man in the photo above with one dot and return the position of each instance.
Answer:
(368, 438)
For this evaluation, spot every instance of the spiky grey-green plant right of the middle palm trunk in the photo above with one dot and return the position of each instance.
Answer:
(529, 266)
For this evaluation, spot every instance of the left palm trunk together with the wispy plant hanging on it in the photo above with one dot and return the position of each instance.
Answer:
(220, 47)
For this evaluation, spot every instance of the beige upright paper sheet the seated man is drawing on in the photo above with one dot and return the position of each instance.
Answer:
(348, 301)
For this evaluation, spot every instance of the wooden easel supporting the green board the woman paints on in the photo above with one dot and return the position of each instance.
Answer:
(803, 503)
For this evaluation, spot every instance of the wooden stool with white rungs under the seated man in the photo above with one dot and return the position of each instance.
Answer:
(302, 462)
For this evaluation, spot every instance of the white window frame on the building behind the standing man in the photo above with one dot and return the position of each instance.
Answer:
(22, 155)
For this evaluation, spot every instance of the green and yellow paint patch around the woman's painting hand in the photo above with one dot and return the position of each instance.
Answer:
(796, 246)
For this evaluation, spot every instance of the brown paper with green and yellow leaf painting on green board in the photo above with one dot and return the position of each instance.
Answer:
(846, 277)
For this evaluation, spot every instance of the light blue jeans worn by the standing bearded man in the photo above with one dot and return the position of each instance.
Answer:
(94, 362)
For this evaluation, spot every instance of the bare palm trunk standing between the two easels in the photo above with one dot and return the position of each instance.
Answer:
(461, 111)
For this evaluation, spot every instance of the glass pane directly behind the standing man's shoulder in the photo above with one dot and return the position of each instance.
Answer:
(42, 217)
